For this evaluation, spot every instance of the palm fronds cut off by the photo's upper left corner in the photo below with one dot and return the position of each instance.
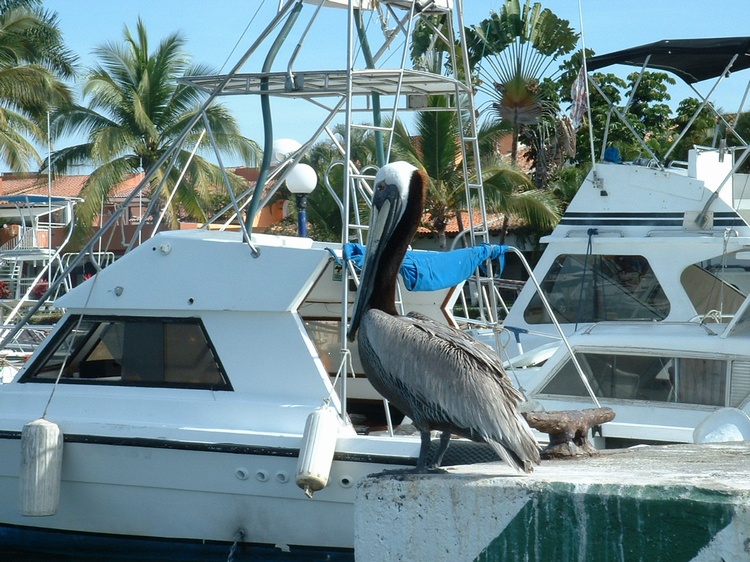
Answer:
(33, 60)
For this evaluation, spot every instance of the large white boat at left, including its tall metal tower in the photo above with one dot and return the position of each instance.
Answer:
(182, 377)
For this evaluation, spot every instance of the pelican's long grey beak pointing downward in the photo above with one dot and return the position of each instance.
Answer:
(387, 208)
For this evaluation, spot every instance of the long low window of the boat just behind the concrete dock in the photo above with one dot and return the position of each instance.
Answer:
(636, 377)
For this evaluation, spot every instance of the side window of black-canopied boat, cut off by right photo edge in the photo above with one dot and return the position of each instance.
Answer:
(717, 285)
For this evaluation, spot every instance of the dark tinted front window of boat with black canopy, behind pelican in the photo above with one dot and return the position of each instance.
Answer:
(614, 288)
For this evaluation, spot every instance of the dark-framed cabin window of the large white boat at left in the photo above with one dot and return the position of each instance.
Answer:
(131, 351)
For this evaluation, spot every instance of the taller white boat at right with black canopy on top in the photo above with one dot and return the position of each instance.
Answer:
(643, 240)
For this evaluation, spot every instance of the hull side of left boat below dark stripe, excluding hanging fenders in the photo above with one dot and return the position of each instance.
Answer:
(193, 493)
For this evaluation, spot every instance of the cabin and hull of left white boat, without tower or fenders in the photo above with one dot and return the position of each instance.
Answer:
(183, 408)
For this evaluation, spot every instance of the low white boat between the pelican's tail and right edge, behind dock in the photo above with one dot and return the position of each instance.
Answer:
(666, 382)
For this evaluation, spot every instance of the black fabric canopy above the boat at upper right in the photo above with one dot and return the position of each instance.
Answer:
(693, 60)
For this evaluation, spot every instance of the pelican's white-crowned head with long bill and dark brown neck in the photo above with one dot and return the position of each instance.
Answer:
(397, 202)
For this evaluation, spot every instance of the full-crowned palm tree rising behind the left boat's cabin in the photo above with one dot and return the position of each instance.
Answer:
(136, 109)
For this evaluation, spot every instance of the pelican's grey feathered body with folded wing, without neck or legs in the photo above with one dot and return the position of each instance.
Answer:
(445, 380)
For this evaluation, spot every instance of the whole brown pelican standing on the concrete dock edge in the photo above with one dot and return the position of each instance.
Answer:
(438, 376)
